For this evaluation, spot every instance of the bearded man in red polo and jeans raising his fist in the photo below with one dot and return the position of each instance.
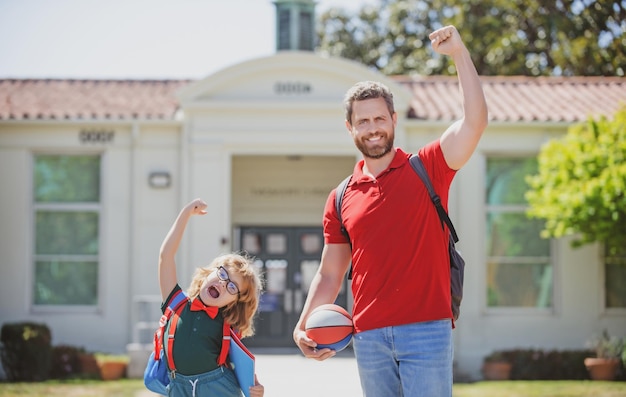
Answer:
(401, 280)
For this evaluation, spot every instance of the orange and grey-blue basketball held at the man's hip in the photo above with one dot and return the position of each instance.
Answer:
(330, 326)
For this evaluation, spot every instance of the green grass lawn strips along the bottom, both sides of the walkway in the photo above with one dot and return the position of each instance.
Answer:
(135, 388)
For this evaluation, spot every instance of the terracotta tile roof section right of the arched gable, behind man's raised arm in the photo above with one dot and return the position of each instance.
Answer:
(519, 98)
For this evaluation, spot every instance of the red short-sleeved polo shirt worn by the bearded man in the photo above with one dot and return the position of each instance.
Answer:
(401, 270)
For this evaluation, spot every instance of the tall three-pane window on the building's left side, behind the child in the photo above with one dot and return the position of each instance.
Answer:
(66, 224)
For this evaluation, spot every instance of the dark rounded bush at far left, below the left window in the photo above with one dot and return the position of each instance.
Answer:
(26, 351)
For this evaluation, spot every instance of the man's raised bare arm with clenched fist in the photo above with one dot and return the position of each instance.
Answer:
(460, 140)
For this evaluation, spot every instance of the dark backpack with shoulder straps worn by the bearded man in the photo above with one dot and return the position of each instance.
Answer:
(457, 263)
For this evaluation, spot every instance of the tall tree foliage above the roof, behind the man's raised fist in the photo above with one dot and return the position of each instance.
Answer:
(504, 37)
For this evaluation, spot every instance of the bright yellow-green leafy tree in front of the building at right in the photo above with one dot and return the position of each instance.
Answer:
(581, 183)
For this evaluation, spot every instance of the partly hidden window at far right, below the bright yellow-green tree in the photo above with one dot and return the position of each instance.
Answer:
(615, 277)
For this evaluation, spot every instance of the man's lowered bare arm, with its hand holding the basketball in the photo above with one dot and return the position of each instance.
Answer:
(324, 289)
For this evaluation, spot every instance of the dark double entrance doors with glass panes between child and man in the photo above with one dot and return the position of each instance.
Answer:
(288, 258)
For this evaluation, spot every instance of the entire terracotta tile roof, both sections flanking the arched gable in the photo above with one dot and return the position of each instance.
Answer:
(435, 98)
